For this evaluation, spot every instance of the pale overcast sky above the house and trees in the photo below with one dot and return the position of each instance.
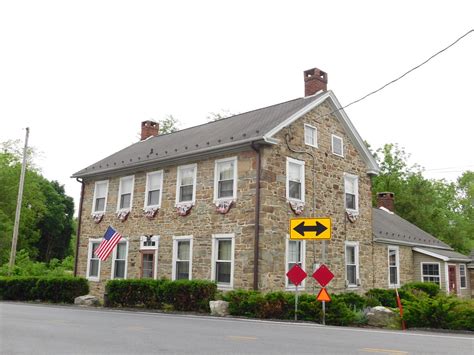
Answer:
(84, 74)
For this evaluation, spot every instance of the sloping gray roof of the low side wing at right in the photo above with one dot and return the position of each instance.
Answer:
(390, 227)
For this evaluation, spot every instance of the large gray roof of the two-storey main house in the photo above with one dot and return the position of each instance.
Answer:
(228, 132)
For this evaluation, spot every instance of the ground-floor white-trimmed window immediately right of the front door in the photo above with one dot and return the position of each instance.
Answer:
(182, 258)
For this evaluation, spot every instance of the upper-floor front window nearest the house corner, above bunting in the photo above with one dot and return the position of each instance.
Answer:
(225, 179)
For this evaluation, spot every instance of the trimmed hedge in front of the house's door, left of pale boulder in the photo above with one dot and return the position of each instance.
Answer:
(180, 295)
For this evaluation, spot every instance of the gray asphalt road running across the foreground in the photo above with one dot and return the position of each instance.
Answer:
(48, 329)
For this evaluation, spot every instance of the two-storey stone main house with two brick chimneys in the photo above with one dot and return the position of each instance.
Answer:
(214, 201)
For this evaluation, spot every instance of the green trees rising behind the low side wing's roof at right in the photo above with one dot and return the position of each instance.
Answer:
(432, 205)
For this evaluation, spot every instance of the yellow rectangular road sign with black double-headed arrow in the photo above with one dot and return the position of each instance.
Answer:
(310, 228)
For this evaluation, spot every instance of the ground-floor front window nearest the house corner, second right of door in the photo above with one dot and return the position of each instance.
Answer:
(223, 246)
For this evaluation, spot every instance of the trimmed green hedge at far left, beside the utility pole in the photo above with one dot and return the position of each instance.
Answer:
(48, 289)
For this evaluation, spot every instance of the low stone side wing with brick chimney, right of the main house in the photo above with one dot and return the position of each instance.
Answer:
(414, 255)
